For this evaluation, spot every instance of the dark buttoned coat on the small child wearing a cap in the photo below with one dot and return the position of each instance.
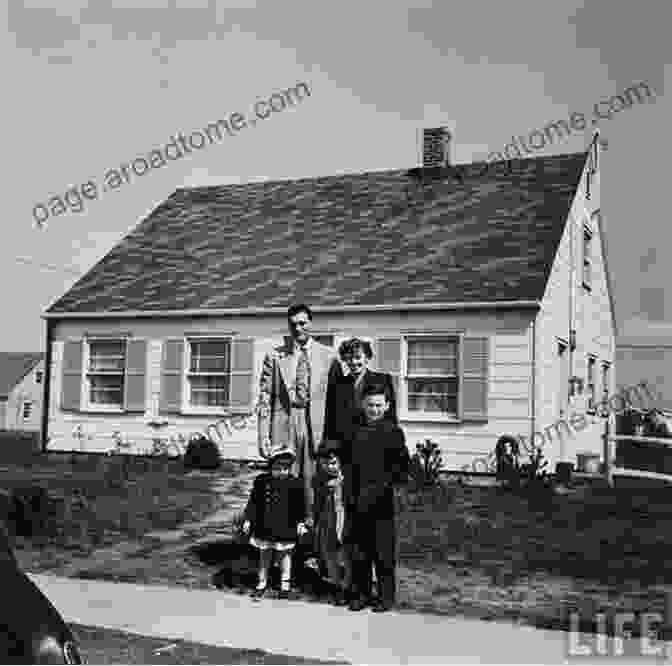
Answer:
(276, 507)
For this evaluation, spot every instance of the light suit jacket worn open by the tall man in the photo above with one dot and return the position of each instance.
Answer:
(277, 378)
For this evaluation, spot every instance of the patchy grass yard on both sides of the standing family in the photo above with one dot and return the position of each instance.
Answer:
(463, 550)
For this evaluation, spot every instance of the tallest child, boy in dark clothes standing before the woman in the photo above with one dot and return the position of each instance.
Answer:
(378, 459)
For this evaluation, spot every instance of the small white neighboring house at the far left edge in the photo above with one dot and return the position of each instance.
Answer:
(21, 391)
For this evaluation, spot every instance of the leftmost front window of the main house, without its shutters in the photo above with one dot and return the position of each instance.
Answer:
(105, 372)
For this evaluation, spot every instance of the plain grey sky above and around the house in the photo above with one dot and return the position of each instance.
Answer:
(89, 86)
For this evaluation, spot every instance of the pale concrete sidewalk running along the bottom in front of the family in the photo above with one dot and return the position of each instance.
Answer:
(298, 628)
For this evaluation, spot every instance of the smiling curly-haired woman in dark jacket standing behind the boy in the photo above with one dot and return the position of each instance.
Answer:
(344, 393)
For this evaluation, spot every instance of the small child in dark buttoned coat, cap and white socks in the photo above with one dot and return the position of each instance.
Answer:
(275, 516)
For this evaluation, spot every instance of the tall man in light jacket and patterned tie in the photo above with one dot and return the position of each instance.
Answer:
(292, 393)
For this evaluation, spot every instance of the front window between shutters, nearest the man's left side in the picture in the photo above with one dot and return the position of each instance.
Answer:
(209, 372)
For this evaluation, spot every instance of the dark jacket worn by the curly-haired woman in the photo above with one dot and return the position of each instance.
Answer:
(343, 413)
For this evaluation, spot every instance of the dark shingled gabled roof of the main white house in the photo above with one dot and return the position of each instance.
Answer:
(472, 234)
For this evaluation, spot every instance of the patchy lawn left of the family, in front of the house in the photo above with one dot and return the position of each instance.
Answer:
(104, 509)
